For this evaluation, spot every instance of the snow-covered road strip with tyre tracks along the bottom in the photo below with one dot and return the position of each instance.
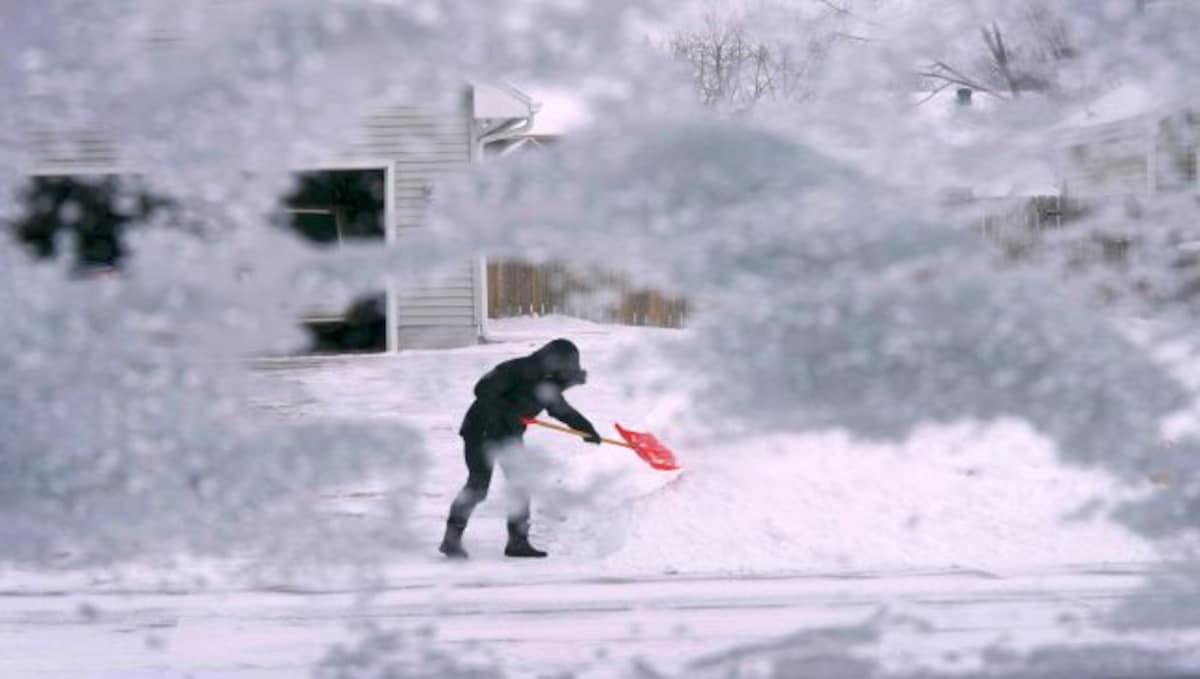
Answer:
(529, 622)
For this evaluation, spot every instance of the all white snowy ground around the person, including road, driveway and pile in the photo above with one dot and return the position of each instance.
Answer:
(976, 530)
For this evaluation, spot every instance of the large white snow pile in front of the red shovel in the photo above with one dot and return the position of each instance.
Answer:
(965, 497)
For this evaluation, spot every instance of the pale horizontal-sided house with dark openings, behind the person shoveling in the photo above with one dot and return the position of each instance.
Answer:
(377, 187)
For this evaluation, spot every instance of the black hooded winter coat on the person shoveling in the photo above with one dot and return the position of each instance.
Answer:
(523, 388)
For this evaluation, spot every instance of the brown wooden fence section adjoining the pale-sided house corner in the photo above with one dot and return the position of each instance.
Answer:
(518, 289)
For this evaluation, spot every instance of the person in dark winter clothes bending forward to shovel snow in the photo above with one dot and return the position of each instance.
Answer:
(505, 399)
